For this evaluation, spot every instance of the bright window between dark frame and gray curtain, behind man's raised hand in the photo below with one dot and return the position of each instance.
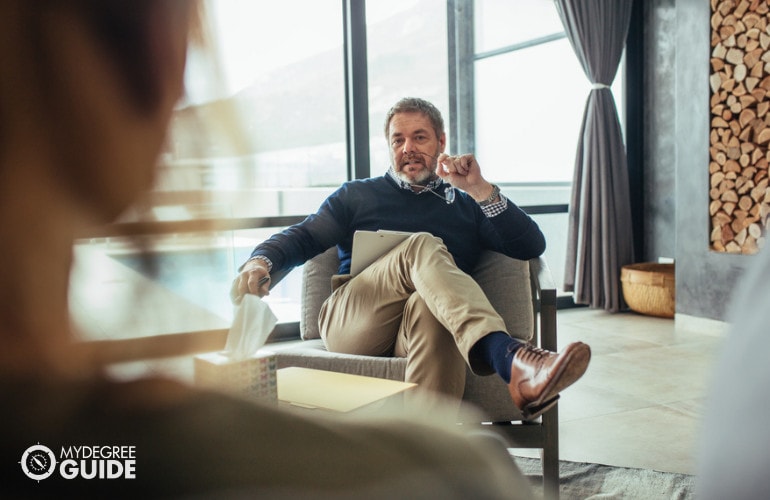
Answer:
(529, 93)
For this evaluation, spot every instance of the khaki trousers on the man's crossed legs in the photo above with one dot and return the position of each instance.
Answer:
(414, 302)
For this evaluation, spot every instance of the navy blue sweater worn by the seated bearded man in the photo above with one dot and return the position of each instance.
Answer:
(379, 203)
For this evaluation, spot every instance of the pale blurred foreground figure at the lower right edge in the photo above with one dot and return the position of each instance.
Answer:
(734, 445)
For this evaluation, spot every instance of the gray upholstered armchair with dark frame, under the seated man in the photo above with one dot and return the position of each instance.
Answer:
(522, 292)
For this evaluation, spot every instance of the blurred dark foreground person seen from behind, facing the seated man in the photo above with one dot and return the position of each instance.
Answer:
(87, 88)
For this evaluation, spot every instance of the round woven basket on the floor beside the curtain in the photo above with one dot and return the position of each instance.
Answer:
(650, 288)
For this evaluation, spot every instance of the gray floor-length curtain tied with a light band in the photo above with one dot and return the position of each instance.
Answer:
(600, 239)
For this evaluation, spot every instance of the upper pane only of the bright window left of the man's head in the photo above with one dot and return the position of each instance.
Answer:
(263, 131)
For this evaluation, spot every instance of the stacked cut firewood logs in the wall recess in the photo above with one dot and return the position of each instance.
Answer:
(740, 124)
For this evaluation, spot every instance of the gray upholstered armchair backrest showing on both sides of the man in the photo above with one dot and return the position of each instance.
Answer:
(504, 280)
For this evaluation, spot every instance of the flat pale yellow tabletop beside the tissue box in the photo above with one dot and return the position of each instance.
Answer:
(333, 391)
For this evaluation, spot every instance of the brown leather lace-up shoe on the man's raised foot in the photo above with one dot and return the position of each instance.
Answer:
(538, 376)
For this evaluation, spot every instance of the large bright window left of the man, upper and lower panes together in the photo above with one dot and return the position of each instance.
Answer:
(261, 134)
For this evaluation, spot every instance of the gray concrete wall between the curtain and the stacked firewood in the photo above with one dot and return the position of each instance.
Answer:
(677, 51)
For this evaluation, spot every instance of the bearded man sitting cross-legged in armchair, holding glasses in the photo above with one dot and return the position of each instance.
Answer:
(418, 301)
